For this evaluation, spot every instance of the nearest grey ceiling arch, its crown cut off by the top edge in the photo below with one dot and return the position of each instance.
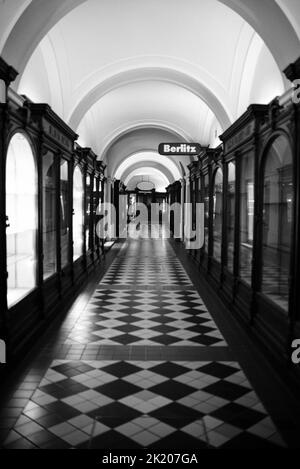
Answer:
(266, 17)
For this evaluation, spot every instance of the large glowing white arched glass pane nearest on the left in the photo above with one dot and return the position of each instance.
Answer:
(21, 209)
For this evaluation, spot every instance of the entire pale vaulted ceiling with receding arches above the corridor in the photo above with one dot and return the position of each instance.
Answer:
(129, 74)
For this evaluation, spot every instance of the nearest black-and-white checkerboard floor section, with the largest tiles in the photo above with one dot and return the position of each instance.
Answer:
(148, 404)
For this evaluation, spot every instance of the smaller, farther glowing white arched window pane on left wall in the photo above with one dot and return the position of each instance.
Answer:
(78, 200)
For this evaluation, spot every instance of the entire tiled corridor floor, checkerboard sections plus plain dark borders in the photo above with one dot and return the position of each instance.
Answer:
(137, 362)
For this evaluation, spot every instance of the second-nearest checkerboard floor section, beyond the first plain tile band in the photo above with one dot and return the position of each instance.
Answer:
(152, 317)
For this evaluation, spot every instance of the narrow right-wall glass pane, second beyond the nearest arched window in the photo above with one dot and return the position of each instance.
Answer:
(230, 215)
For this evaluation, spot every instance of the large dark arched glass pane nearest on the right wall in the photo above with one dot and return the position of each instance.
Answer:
(277, 222)
